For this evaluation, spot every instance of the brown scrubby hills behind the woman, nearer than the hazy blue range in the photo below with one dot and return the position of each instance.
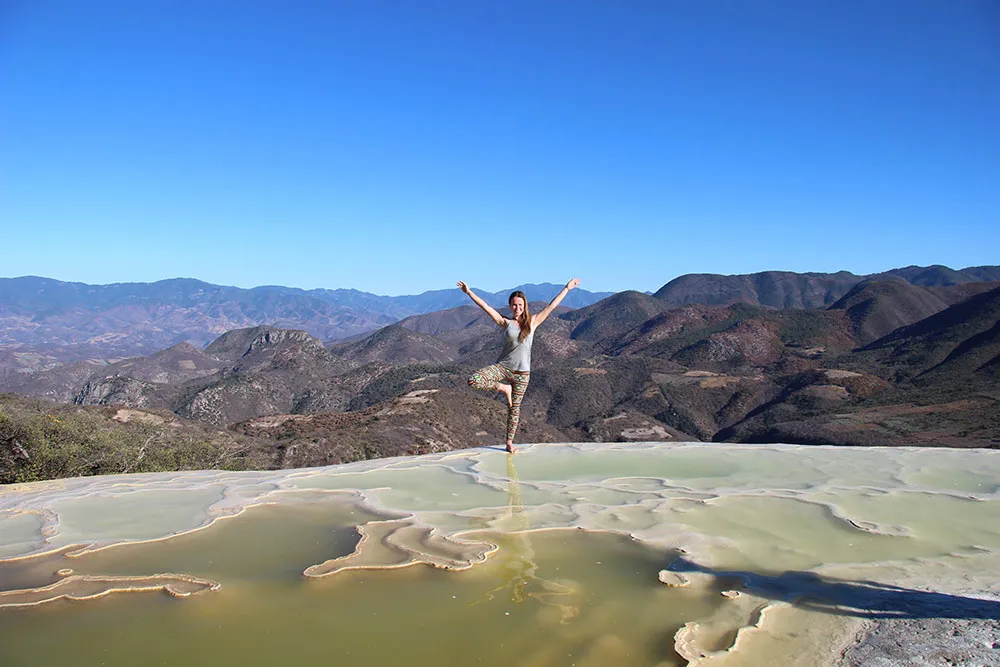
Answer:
(907, 357)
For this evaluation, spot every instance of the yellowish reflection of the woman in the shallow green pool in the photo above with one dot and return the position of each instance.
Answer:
(519, 572)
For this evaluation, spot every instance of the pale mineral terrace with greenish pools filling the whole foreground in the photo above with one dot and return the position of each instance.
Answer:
(587, 555)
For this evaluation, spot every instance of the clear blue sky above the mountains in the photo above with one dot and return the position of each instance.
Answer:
(396, 147)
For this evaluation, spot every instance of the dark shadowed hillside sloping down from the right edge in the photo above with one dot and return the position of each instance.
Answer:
(935, 382)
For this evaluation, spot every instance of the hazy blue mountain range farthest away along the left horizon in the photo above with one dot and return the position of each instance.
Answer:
(65, 321)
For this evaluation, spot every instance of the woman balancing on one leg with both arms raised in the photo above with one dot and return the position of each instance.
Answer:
(512, 371)
